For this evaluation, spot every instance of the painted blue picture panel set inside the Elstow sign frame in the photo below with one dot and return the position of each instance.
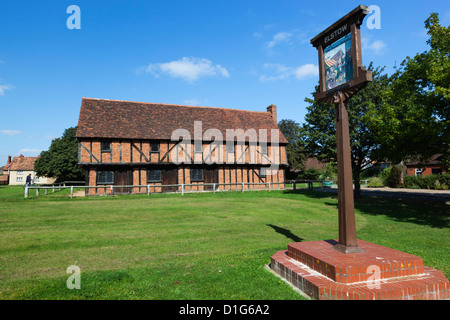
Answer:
(338, 62)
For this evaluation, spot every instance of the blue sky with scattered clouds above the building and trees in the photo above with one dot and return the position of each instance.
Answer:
(231, 54)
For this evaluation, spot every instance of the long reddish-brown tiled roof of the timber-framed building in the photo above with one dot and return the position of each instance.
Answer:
(138, 120)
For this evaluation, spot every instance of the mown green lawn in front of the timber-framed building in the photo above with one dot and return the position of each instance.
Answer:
(192, 246)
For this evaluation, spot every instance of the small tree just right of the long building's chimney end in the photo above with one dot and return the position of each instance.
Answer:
(295, 149)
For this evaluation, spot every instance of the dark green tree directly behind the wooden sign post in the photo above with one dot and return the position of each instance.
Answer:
(320, 127)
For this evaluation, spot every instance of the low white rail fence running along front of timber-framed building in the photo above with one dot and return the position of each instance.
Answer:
(179, 188)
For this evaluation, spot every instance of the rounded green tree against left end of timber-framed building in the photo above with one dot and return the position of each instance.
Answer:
(61, 159)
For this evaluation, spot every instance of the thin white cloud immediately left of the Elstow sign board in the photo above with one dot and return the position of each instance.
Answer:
(277, 71)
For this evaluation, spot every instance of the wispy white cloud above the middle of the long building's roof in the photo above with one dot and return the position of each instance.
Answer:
(189, 69)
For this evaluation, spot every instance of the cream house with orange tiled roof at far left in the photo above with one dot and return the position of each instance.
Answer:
(20, 167)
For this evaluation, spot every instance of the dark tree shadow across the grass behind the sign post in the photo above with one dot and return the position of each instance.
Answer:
(430, 212)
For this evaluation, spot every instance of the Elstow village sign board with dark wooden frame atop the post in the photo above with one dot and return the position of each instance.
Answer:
(340, 62)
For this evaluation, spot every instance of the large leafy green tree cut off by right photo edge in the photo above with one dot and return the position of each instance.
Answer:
(414, 121)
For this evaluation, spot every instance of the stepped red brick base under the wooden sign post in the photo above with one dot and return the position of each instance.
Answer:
(377, 273)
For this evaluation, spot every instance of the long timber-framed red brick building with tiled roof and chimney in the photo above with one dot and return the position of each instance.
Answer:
(136, 143)
